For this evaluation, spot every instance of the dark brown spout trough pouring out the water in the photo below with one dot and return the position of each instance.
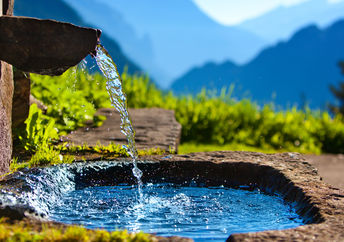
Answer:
(45, 47)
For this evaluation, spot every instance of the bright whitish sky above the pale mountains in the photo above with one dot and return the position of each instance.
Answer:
(231, 12)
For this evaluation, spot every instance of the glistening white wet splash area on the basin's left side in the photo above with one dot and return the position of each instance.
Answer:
(43, 188)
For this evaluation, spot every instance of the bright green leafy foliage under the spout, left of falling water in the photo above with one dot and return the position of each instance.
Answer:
(72, 98)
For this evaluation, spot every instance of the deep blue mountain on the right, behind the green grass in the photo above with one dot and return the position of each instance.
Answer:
(288, 73)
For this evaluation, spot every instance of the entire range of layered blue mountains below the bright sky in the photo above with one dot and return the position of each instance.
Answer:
(169, 38)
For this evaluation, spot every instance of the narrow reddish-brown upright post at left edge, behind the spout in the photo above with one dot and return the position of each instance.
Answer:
(6, 94)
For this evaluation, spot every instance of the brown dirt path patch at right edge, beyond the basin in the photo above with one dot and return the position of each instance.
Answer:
(330, 168)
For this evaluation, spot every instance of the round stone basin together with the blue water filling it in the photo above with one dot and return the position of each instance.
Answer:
(201, 196)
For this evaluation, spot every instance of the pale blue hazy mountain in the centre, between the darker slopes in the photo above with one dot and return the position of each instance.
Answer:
(169, 37)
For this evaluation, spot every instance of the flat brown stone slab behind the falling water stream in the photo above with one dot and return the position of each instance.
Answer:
(155, 128)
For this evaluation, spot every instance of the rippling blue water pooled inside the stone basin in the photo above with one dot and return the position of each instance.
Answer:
(168, 210)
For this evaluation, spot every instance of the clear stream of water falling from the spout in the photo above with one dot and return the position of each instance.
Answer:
(119, 101)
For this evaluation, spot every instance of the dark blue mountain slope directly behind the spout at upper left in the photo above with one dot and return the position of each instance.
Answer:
(59, 10)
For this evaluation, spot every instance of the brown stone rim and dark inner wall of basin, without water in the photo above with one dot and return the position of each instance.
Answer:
(320, 205)
